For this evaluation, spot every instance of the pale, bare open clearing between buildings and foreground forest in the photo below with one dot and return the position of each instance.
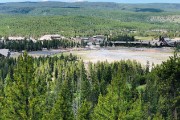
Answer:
(142, 55)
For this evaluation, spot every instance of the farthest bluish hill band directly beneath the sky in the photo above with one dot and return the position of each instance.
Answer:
(36, 7)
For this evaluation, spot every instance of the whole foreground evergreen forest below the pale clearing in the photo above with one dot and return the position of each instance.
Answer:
(66, 88)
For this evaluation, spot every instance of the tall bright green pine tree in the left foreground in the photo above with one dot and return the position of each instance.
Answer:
(19, 92)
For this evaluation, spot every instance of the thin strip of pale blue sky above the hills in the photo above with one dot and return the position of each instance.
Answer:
(119, 1)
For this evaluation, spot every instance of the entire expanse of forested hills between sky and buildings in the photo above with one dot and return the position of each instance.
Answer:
(86, 19)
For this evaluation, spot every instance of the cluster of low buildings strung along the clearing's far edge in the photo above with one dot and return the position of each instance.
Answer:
(93, 41)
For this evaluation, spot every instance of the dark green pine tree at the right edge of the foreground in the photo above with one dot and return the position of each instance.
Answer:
(168, 85)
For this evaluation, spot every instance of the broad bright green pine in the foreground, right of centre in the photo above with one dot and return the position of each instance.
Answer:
(110, 105)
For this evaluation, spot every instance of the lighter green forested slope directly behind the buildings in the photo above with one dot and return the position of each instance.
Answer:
(71, 26)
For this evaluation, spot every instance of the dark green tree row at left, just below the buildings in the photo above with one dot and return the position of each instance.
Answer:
(29, 45)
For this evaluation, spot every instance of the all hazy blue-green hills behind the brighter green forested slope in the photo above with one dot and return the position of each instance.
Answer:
(115, 11)
